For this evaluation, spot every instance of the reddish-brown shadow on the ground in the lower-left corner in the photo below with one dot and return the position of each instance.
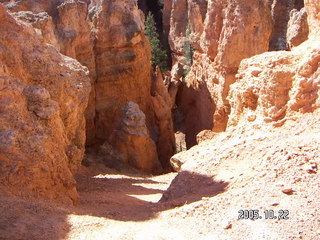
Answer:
(25, 219)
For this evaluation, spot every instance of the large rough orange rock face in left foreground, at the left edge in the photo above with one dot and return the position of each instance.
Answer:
(43, 96)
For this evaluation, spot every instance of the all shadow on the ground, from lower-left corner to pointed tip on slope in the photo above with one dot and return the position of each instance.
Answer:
(112, 197)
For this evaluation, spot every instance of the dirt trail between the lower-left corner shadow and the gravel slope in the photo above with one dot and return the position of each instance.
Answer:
(125, 206)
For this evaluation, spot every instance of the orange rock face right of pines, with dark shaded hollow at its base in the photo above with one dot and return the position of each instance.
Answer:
(223, 33)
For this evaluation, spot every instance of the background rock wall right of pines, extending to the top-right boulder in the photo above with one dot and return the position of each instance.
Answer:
(222, 34)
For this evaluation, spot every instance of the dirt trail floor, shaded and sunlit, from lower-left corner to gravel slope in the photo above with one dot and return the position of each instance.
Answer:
(113, 205)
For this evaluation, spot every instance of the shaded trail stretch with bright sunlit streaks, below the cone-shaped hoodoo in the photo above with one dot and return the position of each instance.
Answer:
(120, 196)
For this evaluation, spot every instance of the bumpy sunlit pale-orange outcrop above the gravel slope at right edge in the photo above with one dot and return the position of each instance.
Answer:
(273, 92)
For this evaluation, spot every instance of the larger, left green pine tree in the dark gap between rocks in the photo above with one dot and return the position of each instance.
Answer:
(158, 54)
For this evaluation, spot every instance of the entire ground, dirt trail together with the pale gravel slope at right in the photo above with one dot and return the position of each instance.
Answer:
(247, 171)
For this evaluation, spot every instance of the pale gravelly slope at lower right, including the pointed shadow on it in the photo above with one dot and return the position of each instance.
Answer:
(252, 167)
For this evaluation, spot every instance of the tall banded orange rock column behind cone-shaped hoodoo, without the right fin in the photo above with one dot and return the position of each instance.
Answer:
(123, 64)
